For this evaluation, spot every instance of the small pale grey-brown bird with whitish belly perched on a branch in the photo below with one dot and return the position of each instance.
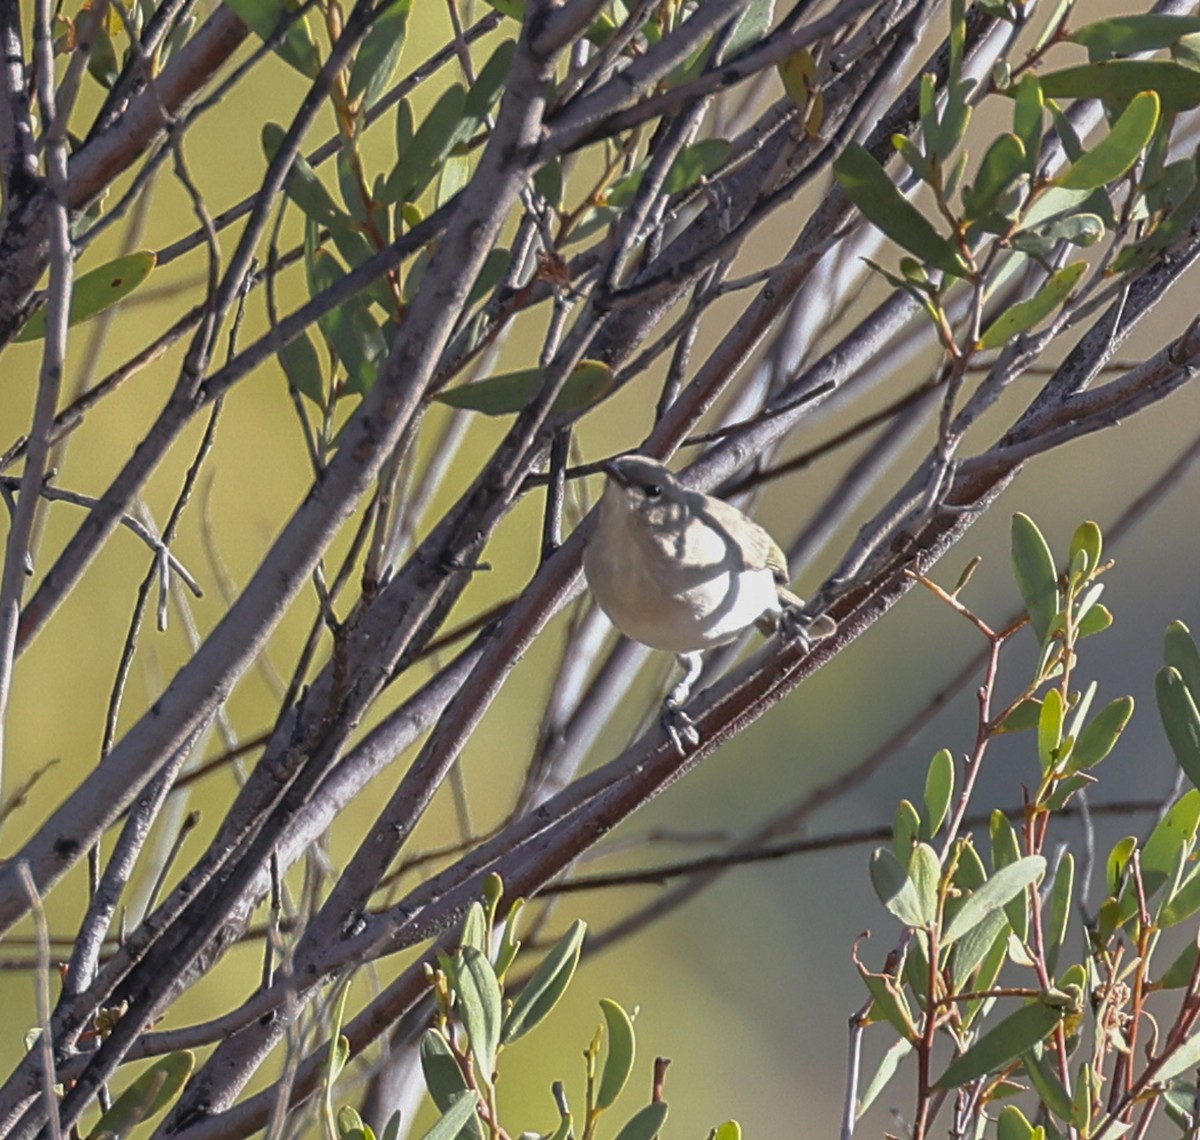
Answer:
(680, 571)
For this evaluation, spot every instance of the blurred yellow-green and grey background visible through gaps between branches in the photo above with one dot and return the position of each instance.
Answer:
(748, 988)
